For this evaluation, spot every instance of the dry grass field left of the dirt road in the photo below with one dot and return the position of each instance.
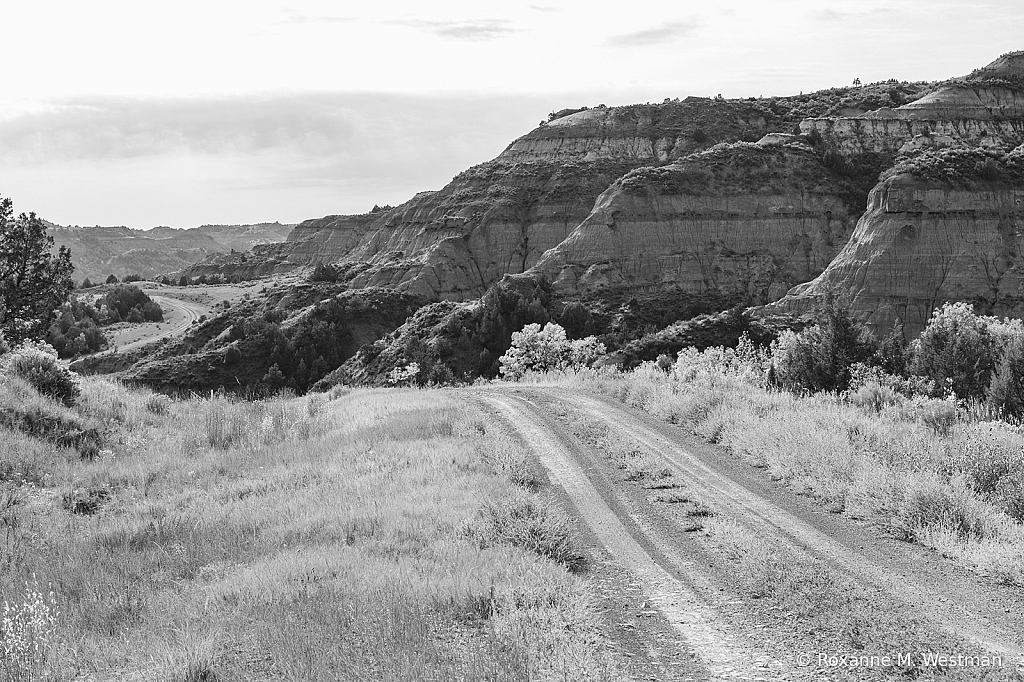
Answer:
(390, 535)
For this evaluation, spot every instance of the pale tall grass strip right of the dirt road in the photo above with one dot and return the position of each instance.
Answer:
(923, 470)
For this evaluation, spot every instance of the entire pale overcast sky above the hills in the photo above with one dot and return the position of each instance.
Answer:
(222, 112)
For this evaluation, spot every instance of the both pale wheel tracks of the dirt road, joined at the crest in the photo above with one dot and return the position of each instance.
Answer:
(937, 590)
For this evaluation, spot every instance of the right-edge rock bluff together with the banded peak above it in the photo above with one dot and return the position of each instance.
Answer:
(944, 224)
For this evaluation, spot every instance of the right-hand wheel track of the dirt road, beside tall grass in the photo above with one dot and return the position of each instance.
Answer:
(990, 616)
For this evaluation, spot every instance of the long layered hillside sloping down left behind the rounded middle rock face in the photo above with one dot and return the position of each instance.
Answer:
(499, 218)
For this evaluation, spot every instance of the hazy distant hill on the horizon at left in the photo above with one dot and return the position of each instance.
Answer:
(99, 252)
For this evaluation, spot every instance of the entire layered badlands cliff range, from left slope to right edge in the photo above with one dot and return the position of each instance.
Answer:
(741, 199)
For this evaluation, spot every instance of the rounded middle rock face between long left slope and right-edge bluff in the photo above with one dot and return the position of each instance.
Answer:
(749, 221)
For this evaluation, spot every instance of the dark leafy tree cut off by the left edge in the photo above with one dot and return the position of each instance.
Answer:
(34, 282)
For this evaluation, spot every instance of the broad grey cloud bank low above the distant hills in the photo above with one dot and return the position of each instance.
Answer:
(306, 140)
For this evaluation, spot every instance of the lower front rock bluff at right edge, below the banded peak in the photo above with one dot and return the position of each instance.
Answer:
(926, 241)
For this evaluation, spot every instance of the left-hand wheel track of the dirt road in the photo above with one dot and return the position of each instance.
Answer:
(727, 655)
